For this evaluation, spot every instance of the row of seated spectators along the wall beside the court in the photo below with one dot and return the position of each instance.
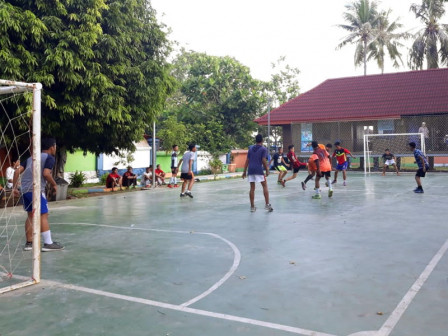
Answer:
(129, 179)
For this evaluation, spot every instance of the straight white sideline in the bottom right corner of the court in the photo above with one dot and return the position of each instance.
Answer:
(396, 315)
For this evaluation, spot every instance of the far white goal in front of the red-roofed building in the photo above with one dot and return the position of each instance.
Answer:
(397, 143)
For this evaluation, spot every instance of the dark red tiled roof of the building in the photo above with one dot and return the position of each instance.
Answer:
(374, 97)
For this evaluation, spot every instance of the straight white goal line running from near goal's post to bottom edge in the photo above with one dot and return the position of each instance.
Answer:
(184, 309)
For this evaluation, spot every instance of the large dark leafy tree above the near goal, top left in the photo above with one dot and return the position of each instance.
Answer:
(103, 67)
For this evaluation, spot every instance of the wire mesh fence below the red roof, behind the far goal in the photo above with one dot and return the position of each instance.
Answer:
(351, 136)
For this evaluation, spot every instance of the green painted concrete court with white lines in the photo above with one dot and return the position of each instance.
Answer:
(370, 261)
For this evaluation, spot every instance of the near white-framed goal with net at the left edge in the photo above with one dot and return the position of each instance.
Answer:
(20, 133)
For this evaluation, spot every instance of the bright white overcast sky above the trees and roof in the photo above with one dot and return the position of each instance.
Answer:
(258, 32)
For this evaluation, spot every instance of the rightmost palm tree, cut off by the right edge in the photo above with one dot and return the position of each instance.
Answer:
(427, 40)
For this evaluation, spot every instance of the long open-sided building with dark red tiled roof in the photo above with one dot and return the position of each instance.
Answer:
(345, 109)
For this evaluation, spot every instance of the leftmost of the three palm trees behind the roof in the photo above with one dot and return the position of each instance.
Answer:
(362, 18)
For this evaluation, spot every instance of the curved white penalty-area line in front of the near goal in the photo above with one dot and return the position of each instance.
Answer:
(230, 272)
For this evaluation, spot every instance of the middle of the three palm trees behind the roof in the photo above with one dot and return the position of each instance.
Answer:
(386, 39)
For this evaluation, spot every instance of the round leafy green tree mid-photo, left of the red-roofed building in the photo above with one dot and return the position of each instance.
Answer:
(217, 100)
